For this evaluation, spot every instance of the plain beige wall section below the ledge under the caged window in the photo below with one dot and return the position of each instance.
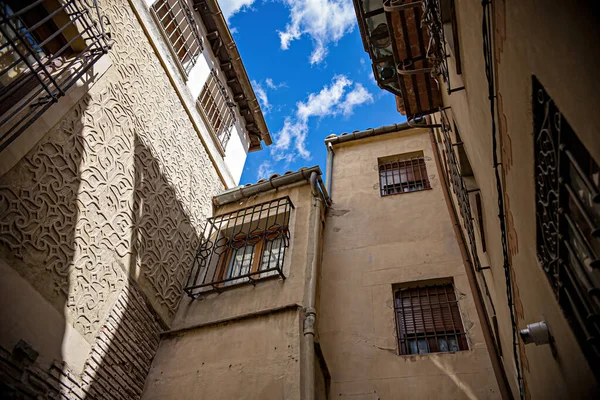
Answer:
(255, 358)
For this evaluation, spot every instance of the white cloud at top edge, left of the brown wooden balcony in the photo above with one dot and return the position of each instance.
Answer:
(325, 21)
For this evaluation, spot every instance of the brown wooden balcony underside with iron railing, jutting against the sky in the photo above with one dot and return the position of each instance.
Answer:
(407, 45)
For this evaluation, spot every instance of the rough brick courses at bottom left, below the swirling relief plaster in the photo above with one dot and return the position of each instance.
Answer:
(116, 368)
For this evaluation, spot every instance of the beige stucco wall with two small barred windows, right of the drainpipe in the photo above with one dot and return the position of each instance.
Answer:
(371, 243)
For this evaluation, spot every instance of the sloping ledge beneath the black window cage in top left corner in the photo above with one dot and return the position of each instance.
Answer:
(15, 151)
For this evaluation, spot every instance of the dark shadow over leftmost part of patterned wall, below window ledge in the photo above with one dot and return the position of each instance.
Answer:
(38, 219)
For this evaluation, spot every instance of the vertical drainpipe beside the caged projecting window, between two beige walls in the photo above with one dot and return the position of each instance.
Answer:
(310, 297)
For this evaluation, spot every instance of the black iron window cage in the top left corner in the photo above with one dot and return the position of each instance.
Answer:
(45, 47)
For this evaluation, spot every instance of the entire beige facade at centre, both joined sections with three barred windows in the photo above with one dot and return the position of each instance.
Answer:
(256, 341)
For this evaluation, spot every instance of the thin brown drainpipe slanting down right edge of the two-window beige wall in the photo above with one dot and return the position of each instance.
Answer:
(495, 359)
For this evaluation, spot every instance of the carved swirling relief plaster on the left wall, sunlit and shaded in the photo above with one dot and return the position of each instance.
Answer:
(121, 186)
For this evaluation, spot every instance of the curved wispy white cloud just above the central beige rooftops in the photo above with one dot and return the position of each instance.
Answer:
(331, 100)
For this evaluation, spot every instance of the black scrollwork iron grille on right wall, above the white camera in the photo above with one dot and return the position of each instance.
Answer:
(568, 220)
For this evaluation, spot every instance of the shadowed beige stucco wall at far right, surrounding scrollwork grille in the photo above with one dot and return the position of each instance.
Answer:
(553, 41)
